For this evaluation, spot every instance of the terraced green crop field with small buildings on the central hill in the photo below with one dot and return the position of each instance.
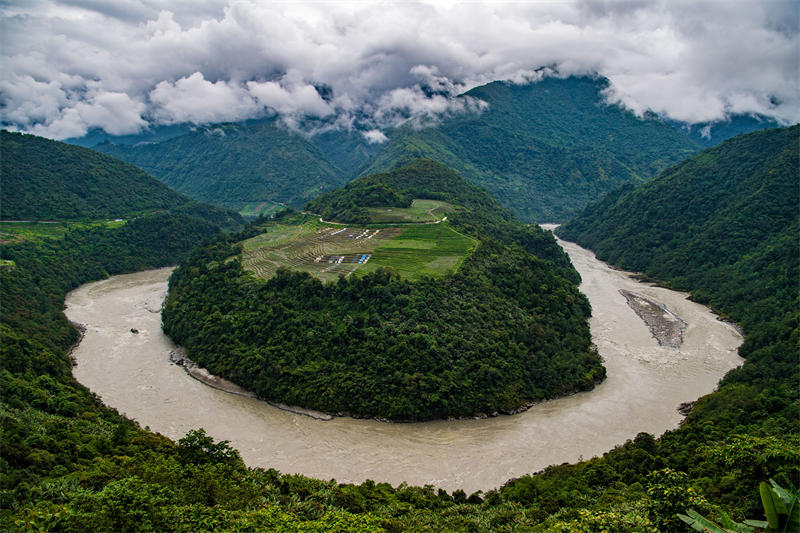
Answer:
(329, 252)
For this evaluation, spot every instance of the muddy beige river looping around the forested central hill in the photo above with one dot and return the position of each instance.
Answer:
(646, 383)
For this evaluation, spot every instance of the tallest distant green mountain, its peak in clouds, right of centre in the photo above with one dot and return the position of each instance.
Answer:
(543, 150)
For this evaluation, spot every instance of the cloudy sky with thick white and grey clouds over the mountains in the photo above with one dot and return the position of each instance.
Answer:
(70, 66)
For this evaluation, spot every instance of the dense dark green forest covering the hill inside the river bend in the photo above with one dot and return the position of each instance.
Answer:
(506, 329)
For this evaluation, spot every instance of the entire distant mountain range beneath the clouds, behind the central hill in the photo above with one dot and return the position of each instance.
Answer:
(544, 150)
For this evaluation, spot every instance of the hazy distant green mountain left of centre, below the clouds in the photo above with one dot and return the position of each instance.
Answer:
(232, 165)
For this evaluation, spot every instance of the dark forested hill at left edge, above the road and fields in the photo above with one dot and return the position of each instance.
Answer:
(44, 179)
